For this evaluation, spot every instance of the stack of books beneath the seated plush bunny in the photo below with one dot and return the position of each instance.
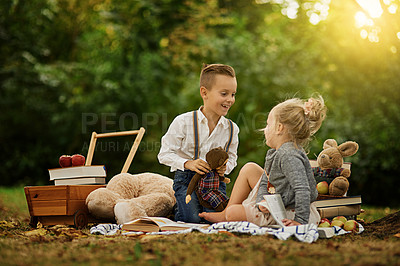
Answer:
(339, 206)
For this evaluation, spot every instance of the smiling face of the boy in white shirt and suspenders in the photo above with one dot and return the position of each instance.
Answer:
(221, 96)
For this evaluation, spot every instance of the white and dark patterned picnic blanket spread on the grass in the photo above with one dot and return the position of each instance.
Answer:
(307, 233)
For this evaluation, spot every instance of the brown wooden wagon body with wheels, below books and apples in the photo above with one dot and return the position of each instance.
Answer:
(52, 205)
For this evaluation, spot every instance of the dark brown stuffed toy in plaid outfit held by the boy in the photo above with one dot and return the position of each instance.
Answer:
(207, 185)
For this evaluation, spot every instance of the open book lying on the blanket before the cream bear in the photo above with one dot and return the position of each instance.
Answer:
(157, 224)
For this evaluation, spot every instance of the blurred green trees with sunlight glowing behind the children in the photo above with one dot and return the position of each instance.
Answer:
(69, 67)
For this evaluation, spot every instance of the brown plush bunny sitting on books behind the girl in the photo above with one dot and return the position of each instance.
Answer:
(329, 167)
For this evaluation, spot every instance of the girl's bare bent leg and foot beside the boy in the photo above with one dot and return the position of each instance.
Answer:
(245, 182)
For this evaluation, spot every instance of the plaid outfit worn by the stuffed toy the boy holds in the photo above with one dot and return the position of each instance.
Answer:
(208, 189)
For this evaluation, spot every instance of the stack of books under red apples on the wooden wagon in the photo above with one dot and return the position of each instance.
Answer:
(79, 175)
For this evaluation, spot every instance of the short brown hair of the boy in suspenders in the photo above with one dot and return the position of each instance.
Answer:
(208, 73)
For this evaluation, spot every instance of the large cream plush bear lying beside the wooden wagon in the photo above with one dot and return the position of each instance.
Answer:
(127, 197)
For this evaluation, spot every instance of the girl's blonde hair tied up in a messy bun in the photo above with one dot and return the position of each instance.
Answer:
(302, 119)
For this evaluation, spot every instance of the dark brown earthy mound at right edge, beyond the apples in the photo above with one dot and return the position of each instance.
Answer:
(384, 227)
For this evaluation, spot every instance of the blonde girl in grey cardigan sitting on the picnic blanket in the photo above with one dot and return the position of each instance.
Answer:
(287, 170)
